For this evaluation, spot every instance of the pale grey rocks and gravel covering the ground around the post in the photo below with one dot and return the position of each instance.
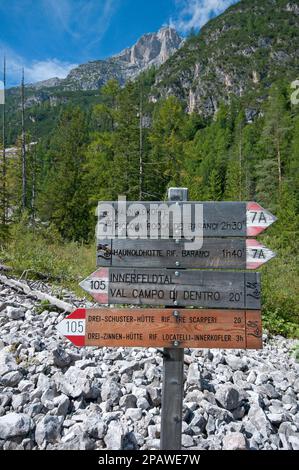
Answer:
(56, 396)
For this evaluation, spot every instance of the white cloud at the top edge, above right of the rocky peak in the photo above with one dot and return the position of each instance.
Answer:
(196, 13)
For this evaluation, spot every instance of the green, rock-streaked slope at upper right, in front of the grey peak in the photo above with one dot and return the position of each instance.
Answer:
(240, 53)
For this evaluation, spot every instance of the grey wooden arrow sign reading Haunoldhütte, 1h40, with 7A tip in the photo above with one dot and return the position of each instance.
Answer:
(220, 253)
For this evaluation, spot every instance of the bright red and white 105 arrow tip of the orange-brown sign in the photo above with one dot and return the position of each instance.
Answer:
(73, 327)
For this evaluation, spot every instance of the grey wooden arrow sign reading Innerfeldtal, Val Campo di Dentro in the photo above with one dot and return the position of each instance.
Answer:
(206, 289)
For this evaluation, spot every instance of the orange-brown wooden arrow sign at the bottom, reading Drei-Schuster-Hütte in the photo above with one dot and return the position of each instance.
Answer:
(231, 329)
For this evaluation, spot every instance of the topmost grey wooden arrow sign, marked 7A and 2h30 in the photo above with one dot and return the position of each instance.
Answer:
(220, 219)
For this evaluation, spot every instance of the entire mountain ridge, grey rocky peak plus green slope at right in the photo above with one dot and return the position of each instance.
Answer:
(237, 55)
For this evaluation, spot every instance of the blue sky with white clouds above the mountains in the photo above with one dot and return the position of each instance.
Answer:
(49, 37)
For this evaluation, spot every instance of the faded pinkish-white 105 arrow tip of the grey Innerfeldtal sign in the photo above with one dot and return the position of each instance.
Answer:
(97, 285)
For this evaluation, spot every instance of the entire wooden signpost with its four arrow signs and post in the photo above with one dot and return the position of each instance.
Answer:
(165, 272)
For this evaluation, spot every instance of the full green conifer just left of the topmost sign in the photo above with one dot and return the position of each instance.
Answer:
(63, 199)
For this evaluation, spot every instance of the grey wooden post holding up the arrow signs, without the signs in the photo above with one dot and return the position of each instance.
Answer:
(173, 377)
